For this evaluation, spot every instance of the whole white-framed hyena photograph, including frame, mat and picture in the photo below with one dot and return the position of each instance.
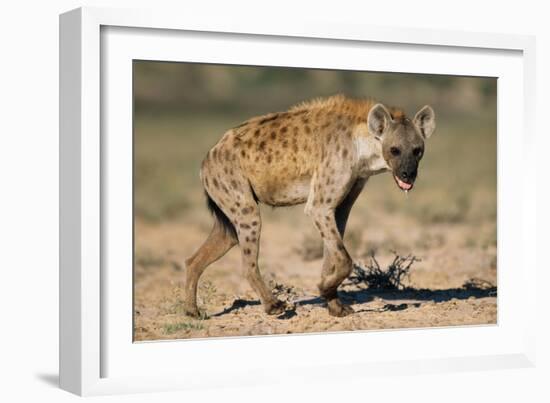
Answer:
(242, 201)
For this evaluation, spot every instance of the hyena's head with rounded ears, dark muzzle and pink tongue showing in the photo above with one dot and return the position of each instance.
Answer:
(402, 140)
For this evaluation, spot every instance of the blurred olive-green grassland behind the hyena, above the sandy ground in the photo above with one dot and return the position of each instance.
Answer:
(182, 109)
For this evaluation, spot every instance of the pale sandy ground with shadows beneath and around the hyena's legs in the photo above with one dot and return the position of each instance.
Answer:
(437, 292)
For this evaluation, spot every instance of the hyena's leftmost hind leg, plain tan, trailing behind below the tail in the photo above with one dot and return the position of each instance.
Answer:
(218, 243)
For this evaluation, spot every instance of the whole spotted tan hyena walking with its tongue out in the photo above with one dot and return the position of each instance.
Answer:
(321, 153)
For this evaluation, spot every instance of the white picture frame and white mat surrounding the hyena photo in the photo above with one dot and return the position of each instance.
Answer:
(97, 355)
